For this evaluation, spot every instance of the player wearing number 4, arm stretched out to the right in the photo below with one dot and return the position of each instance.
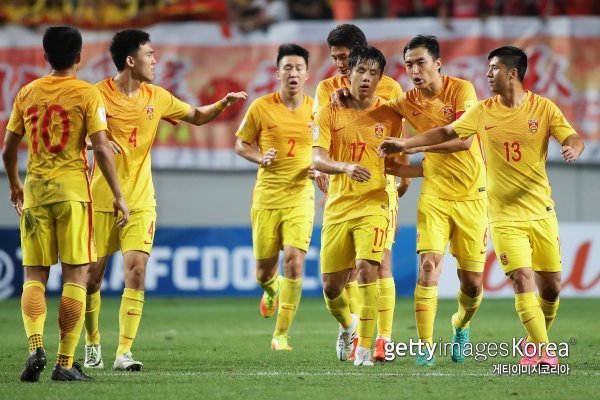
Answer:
(134, 108)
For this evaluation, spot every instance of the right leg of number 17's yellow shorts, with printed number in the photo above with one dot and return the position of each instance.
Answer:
(369, 237)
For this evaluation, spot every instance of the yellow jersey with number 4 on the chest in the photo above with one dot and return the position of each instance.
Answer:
(132, 123)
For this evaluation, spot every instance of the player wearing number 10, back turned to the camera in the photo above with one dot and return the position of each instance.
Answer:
(58, 112)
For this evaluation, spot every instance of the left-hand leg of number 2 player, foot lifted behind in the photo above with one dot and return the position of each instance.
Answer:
(266, 242)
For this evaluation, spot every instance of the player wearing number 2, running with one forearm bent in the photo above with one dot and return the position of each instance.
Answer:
(283, 199)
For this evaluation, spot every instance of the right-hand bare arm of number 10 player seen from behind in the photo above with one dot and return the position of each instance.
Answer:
(103, 155)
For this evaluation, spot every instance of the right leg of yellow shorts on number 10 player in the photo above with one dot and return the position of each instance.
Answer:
(74, 232)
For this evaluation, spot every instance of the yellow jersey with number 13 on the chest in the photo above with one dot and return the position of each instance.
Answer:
(515, 142)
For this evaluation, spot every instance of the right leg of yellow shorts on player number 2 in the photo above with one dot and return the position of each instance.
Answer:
(296, 226)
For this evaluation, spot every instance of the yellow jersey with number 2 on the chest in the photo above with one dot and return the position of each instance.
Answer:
(271, 124)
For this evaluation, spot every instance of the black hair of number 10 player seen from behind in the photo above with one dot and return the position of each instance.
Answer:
(62, 46)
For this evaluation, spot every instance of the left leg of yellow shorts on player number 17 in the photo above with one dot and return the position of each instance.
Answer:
(337, 248)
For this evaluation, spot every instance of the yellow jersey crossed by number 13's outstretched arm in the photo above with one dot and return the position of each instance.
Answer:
(452, 176)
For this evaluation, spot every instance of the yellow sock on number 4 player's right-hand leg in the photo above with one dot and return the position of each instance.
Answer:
(130, 314)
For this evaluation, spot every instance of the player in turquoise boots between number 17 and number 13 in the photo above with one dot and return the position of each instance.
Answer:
(453, 204)
